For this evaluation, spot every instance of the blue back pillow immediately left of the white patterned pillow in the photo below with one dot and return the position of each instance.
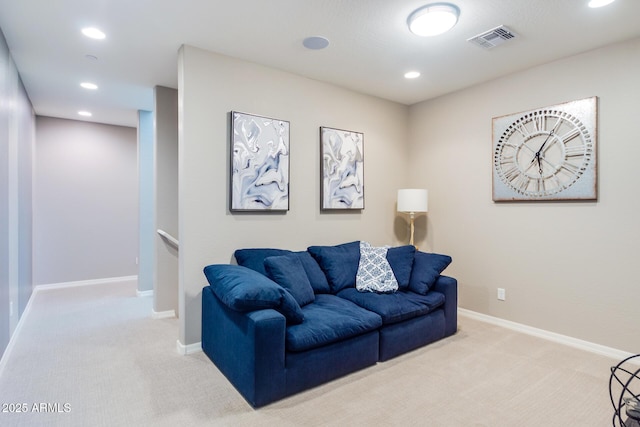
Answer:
(339, 263)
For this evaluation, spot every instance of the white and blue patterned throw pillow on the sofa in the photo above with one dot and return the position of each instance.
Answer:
(374, 272)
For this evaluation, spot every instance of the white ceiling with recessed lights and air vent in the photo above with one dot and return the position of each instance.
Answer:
(370, 45)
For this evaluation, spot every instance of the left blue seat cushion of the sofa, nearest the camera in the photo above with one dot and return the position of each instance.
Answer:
(327, 320)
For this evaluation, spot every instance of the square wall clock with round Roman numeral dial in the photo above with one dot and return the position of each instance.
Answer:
(546, 154)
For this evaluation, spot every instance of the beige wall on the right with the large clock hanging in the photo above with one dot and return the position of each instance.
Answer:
(567, 267)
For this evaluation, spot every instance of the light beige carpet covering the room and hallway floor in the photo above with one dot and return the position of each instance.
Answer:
(97, 358)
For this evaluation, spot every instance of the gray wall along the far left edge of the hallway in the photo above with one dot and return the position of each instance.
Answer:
(16, 149)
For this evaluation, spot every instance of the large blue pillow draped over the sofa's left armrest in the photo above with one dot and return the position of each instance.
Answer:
(243, 289)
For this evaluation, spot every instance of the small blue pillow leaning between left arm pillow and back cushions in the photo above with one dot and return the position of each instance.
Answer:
(288, 272)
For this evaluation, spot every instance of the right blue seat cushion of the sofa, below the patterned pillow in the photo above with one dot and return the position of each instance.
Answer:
(394, 307)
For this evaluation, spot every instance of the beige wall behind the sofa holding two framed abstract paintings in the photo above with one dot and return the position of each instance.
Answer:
(210, 86)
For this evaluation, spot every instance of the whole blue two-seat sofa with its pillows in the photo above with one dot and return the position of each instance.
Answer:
(281, 322)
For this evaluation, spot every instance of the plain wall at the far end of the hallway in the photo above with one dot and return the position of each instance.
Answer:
(85, 223)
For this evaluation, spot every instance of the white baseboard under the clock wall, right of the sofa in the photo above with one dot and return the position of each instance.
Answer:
(551, 336)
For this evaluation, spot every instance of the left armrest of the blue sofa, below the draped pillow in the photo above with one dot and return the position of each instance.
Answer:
(248, 348)
